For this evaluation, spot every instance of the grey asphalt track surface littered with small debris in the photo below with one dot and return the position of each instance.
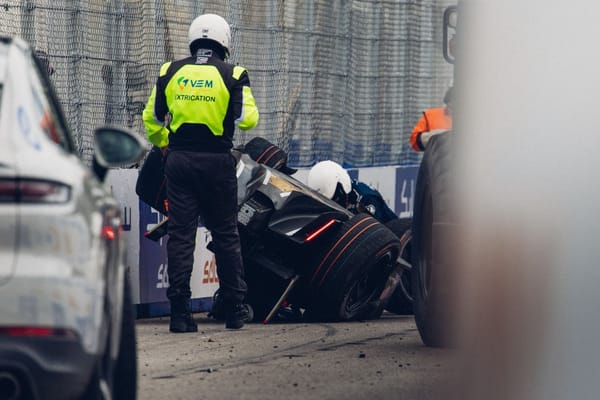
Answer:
(381, 359)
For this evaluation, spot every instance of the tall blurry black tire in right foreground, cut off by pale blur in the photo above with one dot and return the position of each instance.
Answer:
(432, 272)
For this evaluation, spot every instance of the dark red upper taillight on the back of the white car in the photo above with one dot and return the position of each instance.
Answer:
(33, 191)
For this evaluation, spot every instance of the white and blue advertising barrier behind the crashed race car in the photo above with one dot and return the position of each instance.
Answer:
(147, 260)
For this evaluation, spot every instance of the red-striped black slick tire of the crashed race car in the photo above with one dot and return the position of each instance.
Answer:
(351, 272)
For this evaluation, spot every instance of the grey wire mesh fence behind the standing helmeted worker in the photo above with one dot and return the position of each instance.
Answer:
(333, 79)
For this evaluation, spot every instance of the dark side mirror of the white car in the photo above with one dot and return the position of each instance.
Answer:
(116, 147)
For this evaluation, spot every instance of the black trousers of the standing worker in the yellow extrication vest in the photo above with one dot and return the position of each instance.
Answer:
(205, 185)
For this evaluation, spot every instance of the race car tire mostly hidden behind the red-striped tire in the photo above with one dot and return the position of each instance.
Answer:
(401, 300)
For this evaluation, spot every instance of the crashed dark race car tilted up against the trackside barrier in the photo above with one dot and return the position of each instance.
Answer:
(300, 249)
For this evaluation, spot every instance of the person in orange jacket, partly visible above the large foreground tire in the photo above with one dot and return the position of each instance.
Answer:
(433, 122)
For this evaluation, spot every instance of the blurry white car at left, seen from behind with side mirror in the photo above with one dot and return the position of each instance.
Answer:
(66, 316)
